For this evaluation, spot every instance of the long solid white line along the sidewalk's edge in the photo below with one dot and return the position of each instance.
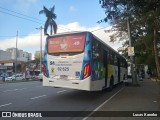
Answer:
(102, 104)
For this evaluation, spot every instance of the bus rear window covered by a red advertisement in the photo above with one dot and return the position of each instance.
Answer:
(66, 44)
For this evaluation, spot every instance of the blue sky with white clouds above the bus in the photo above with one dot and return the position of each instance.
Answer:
(23, 16)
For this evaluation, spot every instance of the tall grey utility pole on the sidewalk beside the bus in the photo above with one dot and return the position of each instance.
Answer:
(133, 71)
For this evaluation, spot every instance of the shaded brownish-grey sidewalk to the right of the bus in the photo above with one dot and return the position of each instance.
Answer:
(145, 97)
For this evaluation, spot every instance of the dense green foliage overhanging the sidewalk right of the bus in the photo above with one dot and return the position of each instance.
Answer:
(144, 16)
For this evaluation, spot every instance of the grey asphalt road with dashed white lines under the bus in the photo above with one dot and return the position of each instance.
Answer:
(32, 96)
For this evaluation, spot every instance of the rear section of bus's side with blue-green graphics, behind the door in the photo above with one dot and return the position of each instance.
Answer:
(98, 68)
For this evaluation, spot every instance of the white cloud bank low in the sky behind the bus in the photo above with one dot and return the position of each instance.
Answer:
(31, 42)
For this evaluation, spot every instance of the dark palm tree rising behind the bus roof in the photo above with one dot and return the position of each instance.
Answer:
(50, 19)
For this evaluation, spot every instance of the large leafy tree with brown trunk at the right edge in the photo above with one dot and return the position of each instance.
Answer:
(145, 21)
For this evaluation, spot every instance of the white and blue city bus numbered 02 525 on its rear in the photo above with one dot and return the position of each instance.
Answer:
(80, 60)
